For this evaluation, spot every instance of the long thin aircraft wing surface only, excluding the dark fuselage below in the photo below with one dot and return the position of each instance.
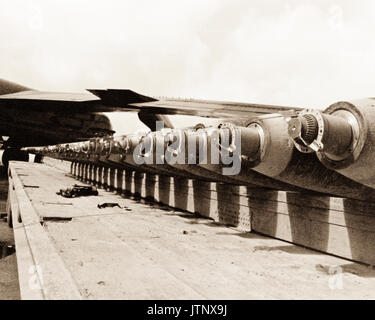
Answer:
(97, 100)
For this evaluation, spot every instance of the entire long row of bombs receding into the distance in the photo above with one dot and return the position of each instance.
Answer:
(328, 152)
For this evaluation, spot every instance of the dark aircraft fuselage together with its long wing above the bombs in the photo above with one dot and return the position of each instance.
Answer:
(32, 117)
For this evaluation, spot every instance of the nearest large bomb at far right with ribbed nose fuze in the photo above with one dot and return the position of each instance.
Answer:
(342, 136)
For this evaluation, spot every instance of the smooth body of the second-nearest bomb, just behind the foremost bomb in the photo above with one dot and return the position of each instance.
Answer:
(284, 163)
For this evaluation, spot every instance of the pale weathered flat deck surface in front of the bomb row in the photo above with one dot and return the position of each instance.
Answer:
(143, 251)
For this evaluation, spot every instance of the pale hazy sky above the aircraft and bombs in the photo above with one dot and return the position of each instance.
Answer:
(305, 53)
